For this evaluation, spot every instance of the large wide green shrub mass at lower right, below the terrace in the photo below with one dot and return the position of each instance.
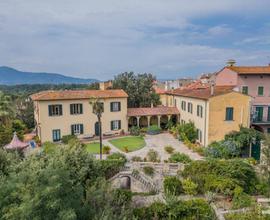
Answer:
(221, 175)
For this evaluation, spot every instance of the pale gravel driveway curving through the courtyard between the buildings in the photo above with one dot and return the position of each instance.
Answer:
(157, 143)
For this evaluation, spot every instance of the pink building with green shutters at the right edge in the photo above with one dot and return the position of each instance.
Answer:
(254, 81)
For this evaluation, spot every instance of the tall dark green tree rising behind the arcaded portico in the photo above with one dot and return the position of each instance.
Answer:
(139, 89)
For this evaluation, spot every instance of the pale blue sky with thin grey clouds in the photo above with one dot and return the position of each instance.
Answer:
(101, 38)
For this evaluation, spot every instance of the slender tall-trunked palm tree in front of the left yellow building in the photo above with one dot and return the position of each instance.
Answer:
(98, 109)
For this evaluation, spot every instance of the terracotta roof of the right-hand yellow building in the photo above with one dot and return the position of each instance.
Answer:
(202, 93)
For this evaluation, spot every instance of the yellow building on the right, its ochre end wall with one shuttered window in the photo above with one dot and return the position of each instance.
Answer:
(215, 111)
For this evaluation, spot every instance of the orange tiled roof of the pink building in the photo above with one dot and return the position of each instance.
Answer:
(250, 69)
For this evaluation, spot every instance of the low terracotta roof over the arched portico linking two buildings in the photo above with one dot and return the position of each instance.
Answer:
(160, 110)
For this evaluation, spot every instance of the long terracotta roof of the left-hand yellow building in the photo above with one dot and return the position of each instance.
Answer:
(78, 94)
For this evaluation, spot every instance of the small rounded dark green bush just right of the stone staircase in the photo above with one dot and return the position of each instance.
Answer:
(172, 185)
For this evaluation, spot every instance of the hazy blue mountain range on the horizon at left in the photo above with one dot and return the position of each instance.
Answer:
(11, 76)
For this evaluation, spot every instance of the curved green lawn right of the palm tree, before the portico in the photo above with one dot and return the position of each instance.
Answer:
(131, 143)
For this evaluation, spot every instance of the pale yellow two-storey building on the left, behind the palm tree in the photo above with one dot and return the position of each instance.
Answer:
(59, 113)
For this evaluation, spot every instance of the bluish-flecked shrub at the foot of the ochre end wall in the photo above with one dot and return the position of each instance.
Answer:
(223, 149)
